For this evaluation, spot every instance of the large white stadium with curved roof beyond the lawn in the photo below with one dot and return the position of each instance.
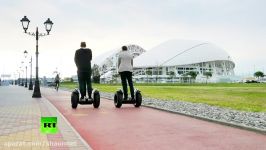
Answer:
(171, 61)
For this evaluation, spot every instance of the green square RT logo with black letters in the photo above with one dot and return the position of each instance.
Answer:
(49, 125)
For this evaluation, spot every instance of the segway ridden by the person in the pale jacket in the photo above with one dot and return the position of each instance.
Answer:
(119, 99)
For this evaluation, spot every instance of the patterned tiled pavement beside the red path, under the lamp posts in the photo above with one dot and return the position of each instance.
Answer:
(20, 123)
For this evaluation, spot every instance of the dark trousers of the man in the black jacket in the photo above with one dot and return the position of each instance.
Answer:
(84, 79)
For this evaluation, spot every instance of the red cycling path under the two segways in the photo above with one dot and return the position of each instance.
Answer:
(146, 128)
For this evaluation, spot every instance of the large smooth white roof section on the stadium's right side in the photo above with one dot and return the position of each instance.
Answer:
(180, 52)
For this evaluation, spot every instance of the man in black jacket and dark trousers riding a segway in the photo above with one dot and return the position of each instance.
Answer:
(82, 59)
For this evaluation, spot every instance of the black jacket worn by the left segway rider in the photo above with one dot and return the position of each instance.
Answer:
(82, 59)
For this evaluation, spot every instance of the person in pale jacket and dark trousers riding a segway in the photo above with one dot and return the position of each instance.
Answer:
(125, 69)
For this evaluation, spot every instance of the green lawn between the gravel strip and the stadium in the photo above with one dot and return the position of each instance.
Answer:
(238, 96)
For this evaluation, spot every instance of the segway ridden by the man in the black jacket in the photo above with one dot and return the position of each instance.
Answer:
(75, 99)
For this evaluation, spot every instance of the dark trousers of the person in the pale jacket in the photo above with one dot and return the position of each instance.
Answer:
(126, 76)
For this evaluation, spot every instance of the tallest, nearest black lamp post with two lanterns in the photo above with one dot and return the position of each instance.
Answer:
(48, 26)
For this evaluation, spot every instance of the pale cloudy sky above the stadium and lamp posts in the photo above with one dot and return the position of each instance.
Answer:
(237, 26)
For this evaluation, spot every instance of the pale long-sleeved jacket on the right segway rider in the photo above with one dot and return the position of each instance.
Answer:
(126, 62)
